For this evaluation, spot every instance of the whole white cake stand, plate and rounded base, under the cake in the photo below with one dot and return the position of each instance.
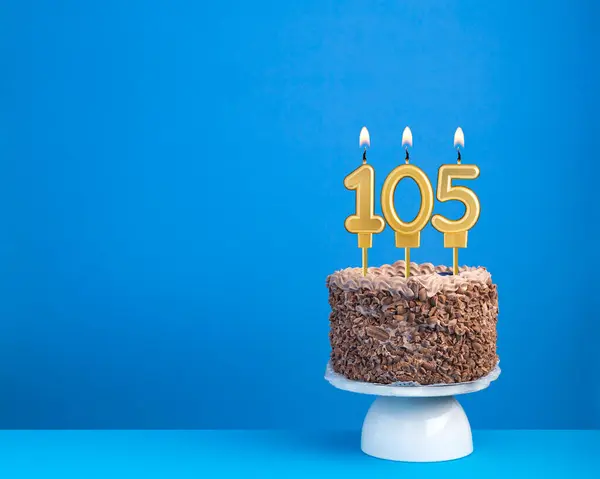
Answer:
(415, 423)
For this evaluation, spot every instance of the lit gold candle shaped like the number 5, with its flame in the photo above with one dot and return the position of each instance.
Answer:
(456, 232)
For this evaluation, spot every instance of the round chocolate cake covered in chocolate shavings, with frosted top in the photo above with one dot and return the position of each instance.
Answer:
(433, 328)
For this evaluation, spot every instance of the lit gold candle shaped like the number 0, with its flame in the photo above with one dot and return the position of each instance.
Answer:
(408, 235)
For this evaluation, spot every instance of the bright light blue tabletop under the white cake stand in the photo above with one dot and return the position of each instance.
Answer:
(183, 454)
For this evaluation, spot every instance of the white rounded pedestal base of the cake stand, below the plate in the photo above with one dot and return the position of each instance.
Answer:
(416, 429)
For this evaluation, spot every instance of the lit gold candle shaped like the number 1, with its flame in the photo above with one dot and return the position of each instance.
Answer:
(365, 222)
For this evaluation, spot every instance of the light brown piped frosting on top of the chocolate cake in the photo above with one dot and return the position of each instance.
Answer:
(422, 276)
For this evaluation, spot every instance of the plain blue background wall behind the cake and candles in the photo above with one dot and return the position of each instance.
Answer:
(172, 200)
